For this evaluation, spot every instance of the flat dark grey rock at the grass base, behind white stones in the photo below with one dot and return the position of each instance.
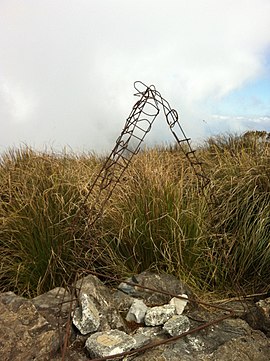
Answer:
(163, 282)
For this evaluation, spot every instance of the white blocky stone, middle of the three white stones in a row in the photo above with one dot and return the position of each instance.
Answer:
(158, 315)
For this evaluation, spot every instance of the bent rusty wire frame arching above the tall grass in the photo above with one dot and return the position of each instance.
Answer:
(128, 144)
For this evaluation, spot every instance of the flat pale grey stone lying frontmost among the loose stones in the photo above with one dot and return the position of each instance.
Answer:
(102, 344)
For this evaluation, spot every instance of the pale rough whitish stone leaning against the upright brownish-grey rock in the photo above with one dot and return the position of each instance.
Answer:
(86, 317)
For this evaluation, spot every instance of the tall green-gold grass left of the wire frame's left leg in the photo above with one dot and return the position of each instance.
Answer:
(40, 195)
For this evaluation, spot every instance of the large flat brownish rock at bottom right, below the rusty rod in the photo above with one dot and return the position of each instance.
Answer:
(229, 340)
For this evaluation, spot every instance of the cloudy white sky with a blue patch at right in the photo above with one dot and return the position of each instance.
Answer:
(67, 68)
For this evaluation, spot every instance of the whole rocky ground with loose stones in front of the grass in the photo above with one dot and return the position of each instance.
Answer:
(102, 322)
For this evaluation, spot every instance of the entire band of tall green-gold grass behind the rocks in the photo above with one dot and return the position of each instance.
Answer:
(156, 219)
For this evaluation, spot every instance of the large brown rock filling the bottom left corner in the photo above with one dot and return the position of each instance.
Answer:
(24, 333)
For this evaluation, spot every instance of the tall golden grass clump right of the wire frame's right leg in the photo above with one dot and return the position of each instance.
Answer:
(240, 167)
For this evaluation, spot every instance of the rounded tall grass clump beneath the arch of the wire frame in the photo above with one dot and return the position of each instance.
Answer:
(156, 220)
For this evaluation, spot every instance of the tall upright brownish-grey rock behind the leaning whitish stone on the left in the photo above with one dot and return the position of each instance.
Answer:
(102, 297)
